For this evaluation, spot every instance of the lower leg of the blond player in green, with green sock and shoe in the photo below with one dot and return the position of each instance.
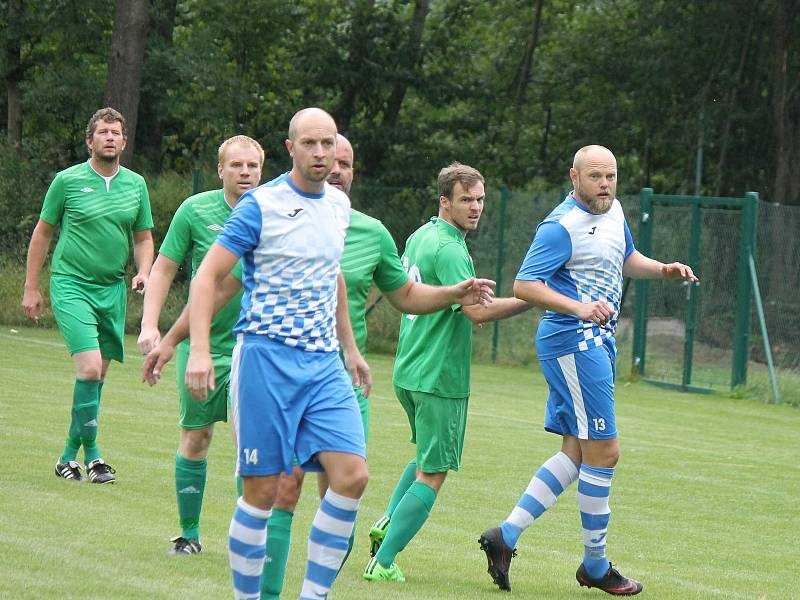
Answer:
(191, 467)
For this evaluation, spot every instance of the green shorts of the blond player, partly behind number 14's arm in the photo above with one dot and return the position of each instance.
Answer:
(194, 414)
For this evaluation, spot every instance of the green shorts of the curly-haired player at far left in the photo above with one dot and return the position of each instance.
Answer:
(90, 316)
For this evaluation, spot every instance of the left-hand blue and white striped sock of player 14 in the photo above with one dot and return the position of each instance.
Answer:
(247, 546)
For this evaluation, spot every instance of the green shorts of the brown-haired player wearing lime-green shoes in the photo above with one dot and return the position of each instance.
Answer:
(437, 428)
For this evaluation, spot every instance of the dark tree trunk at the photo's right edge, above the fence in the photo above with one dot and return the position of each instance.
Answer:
(786, 108)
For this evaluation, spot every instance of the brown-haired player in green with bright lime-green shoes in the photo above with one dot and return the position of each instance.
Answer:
(432, 367)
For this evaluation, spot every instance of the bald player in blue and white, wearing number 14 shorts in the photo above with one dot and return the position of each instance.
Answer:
(290, 393)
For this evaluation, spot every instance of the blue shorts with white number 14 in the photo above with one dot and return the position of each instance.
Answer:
(287, 402)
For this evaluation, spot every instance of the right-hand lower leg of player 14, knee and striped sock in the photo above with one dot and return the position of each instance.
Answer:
(333, 523)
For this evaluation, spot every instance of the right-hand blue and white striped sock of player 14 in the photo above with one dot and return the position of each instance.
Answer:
(327, 543)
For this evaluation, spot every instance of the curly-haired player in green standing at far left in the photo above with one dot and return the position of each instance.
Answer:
(98, 205)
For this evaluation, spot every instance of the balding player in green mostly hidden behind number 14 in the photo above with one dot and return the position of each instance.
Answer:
(370, 255)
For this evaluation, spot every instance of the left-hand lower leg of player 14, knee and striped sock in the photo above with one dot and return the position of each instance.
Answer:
(247, 535)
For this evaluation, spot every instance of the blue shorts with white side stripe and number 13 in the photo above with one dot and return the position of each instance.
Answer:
(581, 401)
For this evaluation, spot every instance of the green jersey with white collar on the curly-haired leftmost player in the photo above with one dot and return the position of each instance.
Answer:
(97, 215)
